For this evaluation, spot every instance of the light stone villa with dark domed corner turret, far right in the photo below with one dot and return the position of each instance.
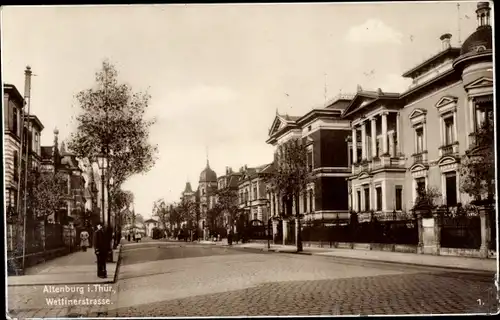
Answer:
(451, 96)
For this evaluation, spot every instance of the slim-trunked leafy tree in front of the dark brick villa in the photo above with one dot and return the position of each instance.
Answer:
(290, 178)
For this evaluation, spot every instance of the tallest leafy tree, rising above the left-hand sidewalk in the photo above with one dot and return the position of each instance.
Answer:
(112, 121)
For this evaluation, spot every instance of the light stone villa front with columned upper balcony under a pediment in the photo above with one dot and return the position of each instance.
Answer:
(378, 169)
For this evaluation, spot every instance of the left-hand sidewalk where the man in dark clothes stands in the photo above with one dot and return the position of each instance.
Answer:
(75, 268)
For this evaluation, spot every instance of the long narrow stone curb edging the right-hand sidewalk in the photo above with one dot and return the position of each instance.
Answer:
(368, 260)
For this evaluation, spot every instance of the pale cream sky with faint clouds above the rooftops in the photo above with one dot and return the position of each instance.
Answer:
(217, 74)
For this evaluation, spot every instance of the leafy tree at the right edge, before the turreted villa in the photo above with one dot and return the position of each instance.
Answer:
(477, 170)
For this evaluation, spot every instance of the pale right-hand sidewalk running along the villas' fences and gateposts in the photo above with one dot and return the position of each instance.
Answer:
(489, 265)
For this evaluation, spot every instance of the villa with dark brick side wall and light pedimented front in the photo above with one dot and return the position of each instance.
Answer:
(325, 133)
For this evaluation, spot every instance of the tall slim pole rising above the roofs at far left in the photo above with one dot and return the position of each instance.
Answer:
(27, 97)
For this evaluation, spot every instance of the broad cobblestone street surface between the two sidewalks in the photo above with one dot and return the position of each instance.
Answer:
(210, 281)
